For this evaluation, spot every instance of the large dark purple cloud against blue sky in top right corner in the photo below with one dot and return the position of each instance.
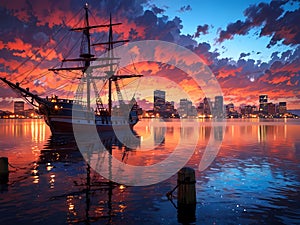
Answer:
(274, 22)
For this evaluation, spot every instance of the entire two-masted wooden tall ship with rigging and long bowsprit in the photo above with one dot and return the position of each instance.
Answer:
(87, 109)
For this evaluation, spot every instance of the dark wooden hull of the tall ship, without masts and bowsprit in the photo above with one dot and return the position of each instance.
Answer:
(64, 117)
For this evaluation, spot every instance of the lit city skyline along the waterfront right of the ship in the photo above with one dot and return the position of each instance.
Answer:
(214, 109)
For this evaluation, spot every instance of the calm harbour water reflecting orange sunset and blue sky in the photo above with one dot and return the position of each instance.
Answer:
(254, 178)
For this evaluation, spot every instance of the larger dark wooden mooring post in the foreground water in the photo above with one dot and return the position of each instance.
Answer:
(186, 195)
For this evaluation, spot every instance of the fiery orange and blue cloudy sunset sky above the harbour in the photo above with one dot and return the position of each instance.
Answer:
(251, 46)
